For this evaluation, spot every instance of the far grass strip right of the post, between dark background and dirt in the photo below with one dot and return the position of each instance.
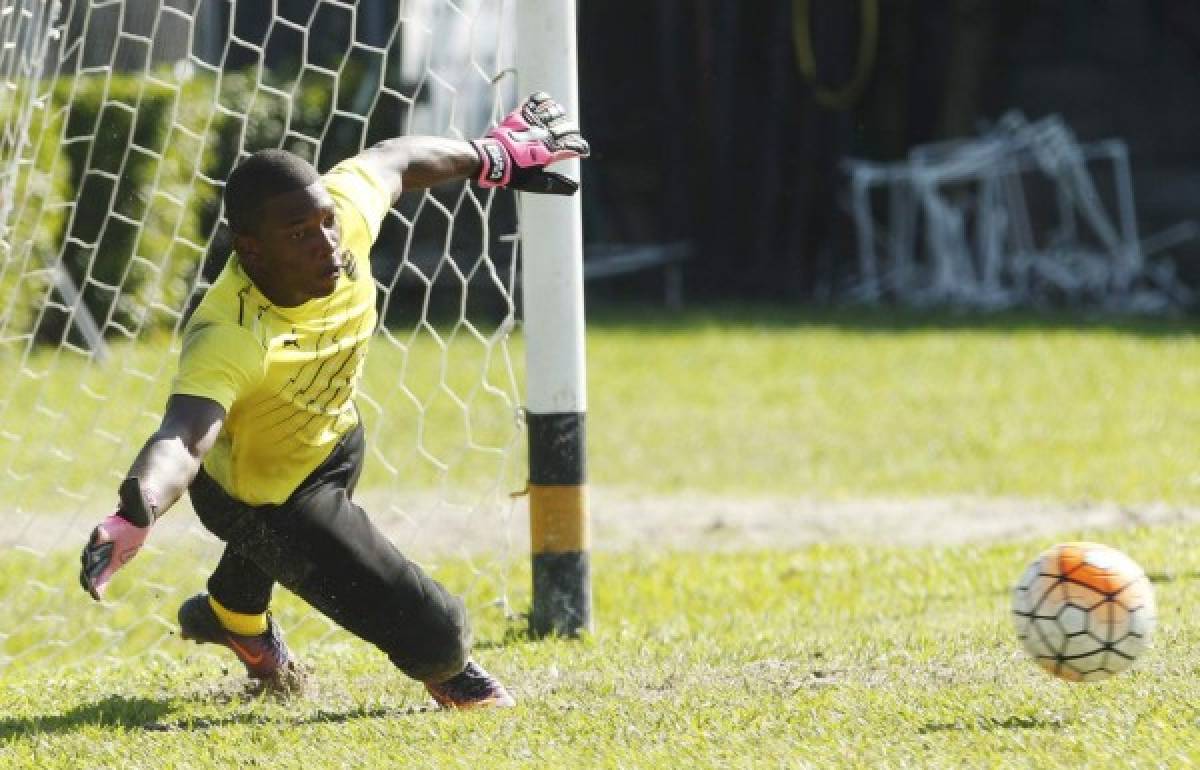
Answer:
(866, 405)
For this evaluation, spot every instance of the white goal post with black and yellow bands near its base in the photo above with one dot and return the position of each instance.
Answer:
(553, 294)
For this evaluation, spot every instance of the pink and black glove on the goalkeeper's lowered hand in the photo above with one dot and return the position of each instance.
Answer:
(116, 540)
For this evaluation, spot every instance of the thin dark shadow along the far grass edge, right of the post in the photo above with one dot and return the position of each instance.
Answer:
(880, 320)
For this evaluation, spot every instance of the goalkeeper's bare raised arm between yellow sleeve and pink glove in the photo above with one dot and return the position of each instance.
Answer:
(418, 163)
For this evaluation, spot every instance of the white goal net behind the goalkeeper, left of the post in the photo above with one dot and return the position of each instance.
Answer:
(121, 122)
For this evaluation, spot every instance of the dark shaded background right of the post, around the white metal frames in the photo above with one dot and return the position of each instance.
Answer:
(711, 130)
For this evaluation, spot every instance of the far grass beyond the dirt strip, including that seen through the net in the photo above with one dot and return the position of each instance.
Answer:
(734, 401)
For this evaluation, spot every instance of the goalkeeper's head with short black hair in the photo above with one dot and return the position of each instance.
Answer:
(285, 227)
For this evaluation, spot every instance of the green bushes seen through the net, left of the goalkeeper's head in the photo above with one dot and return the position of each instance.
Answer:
(119, 195)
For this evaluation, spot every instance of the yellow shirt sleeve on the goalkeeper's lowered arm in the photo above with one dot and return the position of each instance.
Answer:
(219, 362)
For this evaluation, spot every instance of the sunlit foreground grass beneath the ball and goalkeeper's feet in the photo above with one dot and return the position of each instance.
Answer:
(826, 657)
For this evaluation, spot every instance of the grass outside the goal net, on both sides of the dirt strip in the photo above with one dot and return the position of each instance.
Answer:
(833, 655)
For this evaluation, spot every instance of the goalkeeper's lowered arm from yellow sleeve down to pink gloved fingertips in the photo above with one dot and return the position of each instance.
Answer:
(163, 471)
